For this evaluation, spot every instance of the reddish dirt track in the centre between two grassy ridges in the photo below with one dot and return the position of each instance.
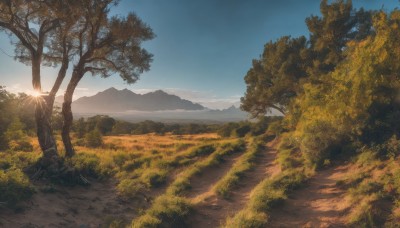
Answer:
(212, 210)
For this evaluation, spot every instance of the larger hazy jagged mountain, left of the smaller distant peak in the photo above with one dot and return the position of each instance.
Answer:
(113, 100)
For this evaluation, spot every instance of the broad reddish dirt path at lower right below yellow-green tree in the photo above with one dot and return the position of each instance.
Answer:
(320, 204)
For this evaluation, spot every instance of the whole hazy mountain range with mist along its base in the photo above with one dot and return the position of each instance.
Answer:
(157, 106)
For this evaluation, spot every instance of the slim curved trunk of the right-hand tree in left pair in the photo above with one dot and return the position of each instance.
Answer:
(68, 117)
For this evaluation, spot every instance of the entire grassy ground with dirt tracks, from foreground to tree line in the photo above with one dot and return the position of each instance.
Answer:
(201, 181)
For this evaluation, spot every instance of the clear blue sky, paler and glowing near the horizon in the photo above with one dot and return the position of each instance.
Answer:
(203, 48)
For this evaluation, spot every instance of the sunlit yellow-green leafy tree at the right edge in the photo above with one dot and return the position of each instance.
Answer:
(358, 101)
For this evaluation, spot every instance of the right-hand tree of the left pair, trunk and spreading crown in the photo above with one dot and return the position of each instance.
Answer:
(104, 46)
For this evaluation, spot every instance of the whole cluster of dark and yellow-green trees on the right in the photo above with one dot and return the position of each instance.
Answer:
(338, 88)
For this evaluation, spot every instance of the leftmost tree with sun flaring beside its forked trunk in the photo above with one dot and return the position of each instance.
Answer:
(33, 27)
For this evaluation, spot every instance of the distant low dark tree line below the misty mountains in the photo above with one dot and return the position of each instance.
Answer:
(17, 125)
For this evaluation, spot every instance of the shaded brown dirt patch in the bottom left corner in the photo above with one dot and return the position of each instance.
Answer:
(71, 207)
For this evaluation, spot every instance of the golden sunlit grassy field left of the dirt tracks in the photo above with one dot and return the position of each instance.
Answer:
(152, 167)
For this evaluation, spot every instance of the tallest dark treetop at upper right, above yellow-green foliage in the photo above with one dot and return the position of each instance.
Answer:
(339, 23)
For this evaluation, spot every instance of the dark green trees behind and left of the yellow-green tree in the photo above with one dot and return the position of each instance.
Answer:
(277, 78)
